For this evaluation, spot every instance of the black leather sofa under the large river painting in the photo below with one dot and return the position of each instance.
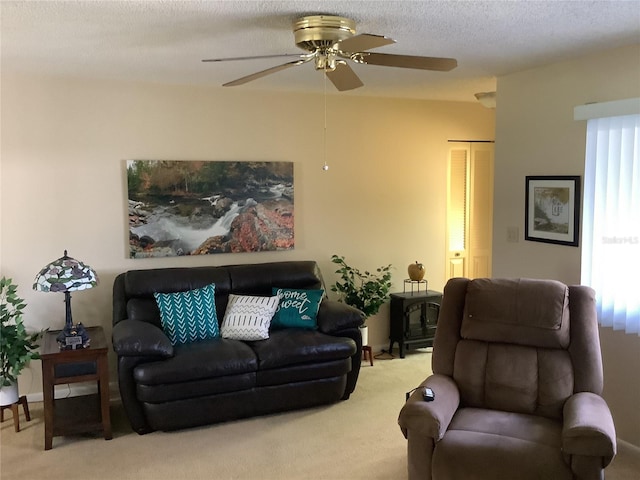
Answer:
(166, 387)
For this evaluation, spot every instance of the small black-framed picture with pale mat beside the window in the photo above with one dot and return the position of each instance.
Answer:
(552, 209)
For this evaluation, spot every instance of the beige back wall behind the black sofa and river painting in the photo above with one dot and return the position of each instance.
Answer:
(63, 185)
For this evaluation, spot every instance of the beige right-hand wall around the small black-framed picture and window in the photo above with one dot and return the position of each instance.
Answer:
(536, 135)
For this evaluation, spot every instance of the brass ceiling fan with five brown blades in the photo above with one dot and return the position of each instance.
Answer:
(330, 42)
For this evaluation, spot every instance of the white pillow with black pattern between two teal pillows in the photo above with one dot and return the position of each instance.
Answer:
(248, 318)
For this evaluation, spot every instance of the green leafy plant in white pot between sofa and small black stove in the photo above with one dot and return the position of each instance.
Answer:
(365, 291)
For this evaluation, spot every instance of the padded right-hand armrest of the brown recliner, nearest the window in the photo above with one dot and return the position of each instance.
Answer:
(588, 427)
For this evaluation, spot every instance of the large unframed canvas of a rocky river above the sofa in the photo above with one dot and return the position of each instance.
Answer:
(205, 207)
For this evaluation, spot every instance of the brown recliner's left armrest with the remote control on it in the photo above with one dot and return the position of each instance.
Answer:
(431, 419)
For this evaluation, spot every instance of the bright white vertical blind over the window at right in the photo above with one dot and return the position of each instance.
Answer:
(611, 220)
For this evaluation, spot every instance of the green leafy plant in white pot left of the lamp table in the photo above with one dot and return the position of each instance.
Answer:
(17, 346)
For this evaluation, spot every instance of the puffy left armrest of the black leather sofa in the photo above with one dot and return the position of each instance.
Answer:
(136, 338)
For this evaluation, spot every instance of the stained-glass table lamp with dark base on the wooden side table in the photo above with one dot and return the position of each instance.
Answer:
(66, 275)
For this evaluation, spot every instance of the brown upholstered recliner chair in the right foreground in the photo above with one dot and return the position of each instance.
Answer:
(517, 379)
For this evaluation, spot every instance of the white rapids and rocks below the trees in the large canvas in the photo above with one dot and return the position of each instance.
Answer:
(166, 226)
